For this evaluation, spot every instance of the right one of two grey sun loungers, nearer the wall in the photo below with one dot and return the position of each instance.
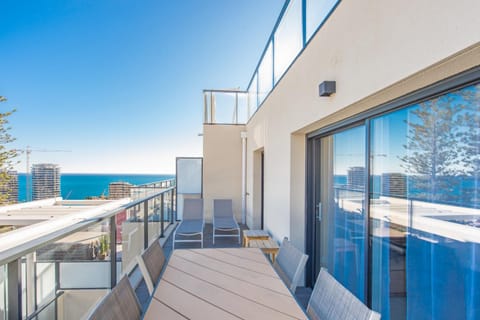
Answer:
(224, 220)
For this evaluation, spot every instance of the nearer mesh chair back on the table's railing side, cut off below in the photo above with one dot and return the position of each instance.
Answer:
(120, 304)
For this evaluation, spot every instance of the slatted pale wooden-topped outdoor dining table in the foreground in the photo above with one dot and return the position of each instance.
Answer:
(233, 283)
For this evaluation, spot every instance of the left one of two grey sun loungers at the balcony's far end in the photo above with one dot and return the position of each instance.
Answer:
(192, 223)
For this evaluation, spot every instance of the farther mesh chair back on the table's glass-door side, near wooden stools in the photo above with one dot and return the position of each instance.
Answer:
(289, 264)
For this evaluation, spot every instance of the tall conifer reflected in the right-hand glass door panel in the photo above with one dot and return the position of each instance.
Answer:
(432, 144)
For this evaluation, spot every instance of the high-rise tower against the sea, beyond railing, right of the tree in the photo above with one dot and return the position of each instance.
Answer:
(45, 181)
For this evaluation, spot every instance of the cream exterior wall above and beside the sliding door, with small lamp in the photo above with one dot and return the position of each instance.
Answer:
(376, 51)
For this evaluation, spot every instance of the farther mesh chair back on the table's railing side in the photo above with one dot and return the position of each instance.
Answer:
(151, 264)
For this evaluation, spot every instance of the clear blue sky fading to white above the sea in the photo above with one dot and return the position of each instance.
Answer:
(119, 82)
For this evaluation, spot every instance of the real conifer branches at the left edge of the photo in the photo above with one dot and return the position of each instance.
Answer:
(7, 156)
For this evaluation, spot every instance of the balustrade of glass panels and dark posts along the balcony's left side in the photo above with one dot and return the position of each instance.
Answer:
(65, 273)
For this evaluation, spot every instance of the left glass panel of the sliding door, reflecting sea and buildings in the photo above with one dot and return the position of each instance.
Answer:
(339, 202)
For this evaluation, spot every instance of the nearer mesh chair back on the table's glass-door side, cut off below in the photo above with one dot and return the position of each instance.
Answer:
(330, 300)
